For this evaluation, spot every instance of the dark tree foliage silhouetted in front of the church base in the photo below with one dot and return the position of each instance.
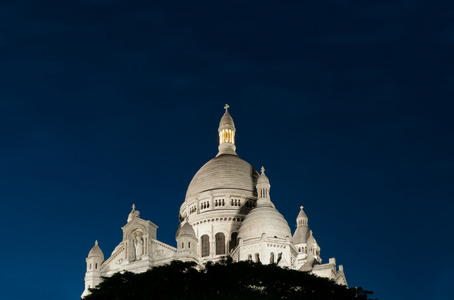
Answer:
(223, 280)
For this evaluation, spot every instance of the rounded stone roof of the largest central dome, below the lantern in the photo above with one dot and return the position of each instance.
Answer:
(226, 171)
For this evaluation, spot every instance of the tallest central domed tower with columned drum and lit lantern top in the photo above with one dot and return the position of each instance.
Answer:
(220, 196)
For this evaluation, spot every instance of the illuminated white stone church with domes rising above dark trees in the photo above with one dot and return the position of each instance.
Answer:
(227, 211)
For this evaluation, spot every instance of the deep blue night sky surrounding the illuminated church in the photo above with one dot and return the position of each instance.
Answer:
(347, 104)
